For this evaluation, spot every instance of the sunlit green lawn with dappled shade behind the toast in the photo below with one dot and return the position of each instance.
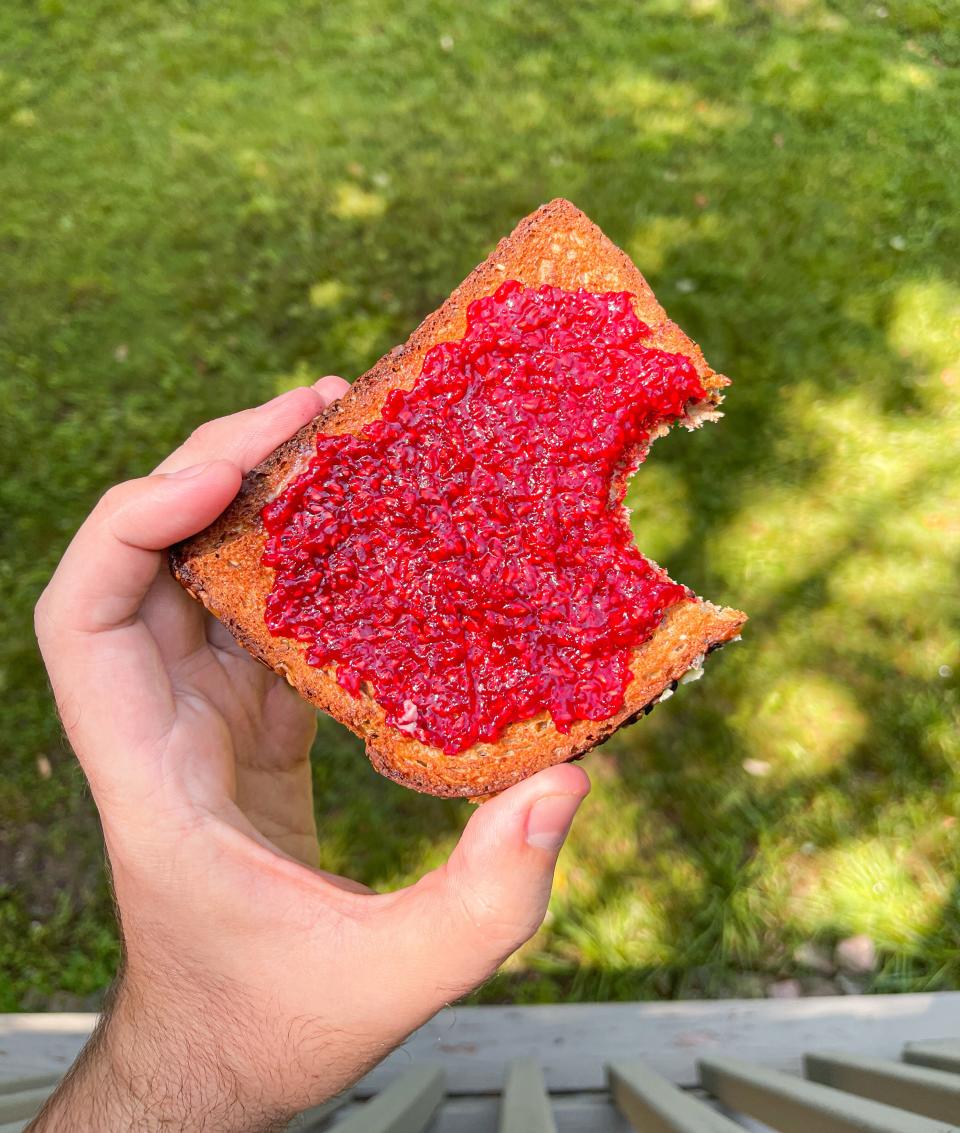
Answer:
(207, 205)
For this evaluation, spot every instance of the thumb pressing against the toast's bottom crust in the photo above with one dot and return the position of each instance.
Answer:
(492, 895)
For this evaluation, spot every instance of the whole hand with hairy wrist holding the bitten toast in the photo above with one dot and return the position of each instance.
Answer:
(254, 984)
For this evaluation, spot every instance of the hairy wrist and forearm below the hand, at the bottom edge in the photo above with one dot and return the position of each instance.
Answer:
(140, 1072)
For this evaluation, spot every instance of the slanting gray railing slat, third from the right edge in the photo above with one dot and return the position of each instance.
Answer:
(794, 1105)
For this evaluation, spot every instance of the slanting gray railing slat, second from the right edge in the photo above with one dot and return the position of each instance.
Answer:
(932, 1093)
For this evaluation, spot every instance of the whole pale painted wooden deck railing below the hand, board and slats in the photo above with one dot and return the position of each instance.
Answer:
(877, 1064)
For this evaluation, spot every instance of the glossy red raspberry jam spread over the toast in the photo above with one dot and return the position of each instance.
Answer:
(466, 558)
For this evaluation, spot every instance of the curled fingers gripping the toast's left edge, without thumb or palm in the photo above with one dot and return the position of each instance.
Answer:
(108, 651)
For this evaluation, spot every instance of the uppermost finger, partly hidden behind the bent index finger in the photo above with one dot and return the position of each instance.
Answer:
(250, 437)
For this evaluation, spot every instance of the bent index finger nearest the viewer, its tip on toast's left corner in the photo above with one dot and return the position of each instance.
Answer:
(109, 679)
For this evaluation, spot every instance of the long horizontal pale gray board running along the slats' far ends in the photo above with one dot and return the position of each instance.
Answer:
(575, 1042)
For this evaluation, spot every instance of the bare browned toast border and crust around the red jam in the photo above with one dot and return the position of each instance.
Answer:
(222, 567)
